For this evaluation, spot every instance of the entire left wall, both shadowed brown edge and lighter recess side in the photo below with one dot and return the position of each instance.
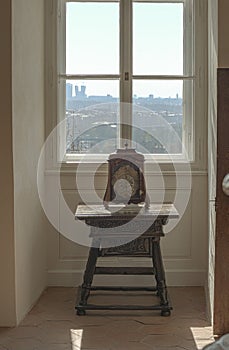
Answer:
(22, 224)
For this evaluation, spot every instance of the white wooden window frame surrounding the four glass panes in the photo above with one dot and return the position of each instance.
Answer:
(195, 59)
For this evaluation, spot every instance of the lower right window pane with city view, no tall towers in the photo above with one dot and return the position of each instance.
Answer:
(158, 116)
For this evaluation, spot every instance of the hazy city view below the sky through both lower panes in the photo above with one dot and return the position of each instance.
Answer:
(92, 122)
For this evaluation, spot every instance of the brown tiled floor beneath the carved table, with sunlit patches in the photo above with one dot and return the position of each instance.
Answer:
(53, 325)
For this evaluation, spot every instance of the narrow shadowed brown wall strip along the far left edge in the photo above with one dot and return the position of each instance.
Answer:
(7, 266)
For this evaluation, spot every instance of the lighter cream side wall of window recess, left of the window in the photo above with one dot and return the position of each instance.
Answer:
(28, 137)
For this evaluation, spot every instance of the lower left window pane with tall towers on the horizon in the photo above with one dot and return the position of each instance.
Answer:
(92, 114)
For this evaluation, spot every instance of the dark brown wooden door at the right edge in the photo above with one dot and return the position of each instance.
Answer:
(221, 292)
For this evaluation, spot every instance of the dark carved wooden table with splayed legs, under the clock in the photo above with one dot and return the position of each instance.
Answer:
(125, 232)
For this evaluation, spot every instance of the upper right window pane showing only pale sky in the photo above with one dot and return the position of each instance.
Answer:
(158, 38)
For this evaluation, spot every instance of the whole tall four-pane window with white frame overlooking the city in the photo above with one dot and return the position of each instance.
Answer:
(127, 71)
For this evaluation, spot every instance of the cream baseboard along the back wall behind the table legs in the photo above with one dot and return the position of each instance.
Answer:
(73, 278)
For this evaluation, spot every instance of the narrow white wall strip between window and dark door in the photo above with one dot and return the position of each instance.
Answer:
(212, 141)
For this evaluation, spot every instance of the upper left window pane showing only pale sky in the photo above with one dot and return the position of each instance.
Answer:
(92, 38)
